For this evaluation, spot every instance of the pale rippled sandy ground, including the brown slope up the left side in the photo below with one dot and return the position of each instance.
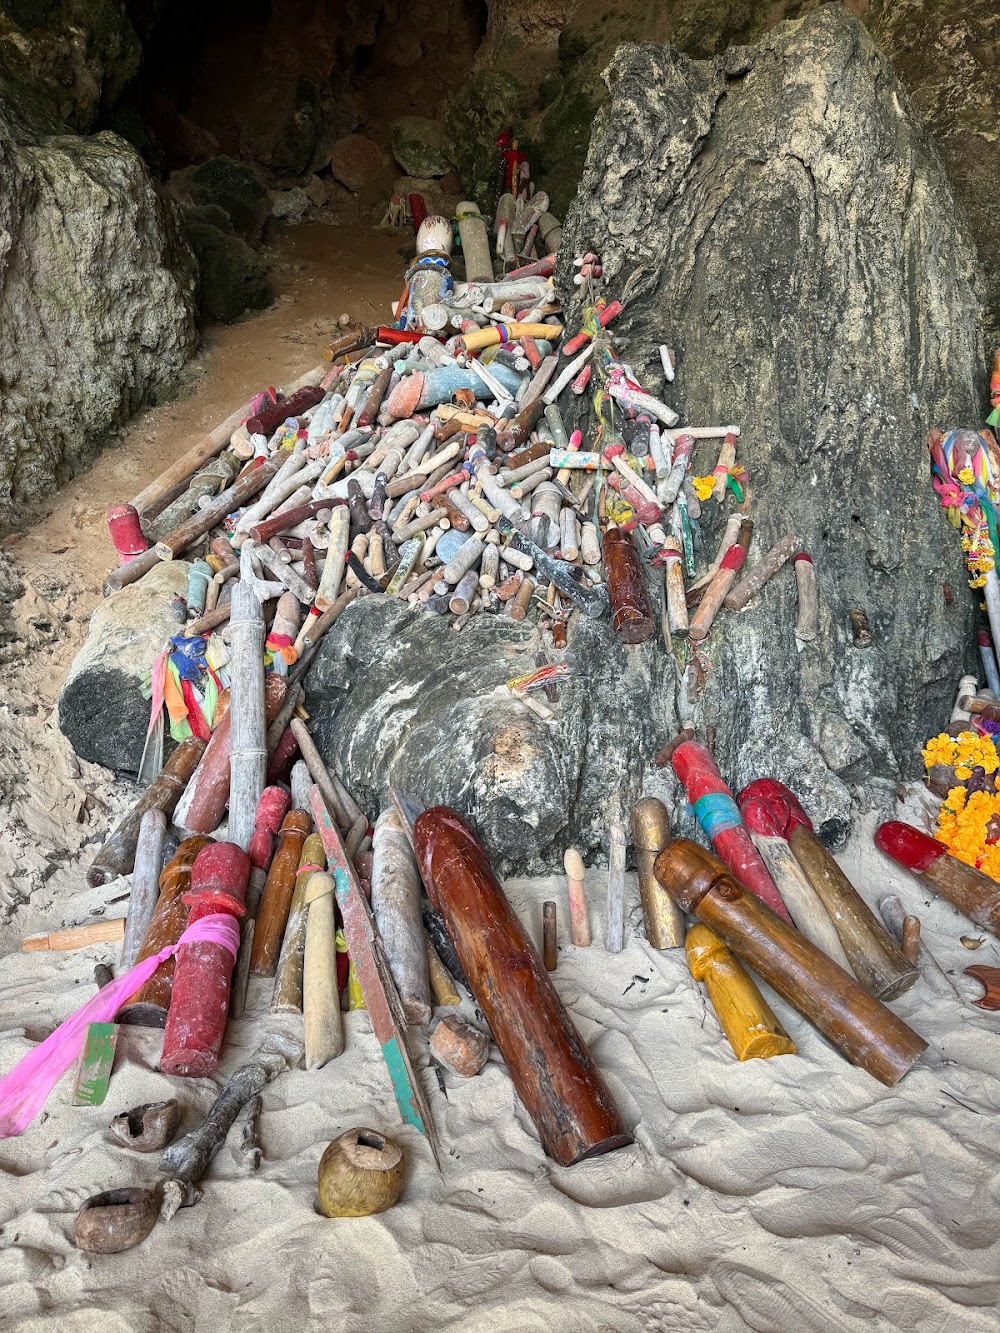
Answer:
(779, 1196)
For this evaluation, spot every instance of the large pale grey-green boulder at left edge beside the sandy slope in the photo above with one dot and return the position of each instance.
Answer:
(97, 305)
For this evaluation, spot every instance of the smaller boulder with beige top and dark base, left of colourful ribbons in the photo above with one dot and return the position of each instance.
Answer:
(102, 710)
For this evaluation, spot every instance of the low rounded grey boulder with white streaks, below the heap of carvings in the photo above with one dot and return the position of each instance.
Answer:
(399, 700)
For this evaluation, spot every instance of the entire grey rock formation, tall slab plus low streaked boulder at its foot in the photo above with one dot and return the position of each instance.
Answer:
(779, 218)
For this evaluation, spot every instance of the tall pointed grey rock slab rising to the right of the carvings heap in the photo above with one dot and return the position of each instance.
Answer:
(779, 218)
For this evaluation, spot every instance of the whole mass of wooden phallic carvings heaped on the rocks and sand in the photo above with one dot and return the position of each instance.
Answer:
(439, 470)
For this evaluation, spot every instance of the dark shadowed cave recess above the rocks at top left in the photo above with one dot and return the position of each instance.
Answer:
(275, 83)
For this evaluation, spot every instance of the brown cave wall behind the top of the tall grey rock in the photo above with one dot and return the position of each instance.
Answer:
(541, 70)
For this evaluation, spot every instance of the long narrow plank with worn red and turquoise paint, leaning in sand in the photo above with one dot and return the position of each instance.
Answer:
(379, 991)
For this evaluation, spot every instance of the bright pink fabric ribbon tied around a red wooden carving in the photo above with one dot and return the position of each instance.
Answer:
(23, 1092)
